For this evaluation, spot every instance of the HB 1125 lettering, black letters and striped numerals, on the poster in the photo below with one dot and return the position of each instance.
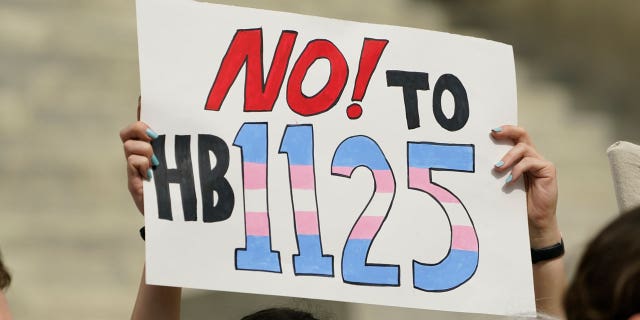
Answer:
(297, 143)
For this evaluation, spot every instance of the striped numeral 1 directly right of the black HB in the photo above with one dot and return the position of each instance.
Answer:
(257, 254)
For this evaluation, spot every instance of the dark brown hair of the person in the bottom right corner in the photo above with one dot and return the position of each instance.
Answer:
(607, 282)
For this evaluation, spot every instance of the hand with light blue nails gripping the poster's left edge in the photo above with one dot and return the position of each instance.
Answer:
(136, 139)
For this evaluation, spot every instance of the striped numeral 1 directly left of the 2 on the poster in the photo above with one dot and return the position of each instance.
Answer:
(297, 143)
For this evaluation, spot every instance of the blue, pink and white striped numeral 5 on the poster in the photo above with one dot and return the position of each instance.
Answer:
(462, 261)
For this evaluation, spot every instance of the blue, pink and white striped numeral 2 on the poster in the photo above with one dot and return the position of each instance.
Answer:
(361, 151)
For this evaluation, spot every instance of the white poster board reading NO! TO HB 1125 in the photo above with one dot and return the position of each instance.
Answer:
(329, 159)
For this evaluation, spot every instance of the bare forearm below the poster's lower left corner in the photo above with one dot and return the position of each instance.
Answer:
(156, 302)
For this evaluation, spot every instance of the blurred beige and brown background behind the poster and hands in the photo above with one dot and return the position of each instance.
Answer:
(69, 83)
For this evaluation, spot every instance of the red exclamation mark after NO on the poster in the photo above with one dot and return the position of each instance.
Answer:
(369, 57)
